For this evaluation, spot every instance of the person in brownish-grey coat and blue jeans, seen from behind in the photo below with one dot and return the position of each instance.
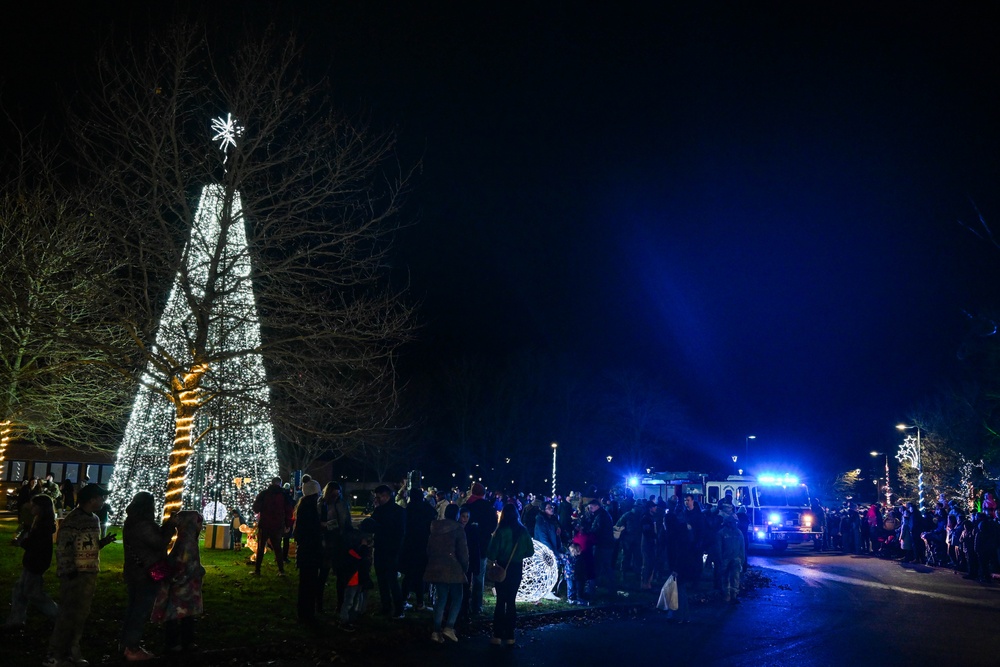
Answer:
(447, 564)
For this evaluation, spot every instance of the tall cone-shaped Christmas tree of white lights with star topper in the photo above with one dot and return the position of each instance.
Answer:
(200, 436)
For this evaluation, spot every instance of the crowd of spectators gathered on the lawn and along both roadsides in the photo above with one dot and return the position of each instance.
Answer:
(437, 552)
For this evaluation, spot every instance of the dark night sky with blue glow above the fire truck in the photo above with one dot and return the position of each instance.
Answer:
(758, 204)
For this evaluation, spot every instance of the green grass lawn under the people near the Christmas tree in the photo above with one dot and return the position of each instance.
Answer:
(241, 611)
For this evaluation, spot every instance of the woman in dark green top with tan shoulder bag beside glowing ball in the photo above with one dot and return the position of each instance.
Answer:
(509, 546)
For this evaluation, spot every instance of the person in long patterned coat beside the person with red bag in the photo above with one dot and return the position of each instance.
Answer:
(180, 600)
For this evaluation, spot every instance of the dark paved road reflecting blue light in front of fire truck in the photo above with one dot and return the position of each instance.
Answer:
(821, 609)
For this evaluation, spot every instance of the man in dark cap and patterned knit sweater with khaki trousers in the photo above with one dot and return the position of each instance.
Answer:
(78, 560)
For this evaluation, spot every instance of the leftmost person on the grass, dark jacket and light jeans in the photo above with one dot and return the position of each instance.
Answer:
(37, 545)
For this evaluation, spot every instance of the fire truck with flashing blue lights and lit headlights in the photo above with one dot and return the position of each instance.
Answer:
(778, 506)
